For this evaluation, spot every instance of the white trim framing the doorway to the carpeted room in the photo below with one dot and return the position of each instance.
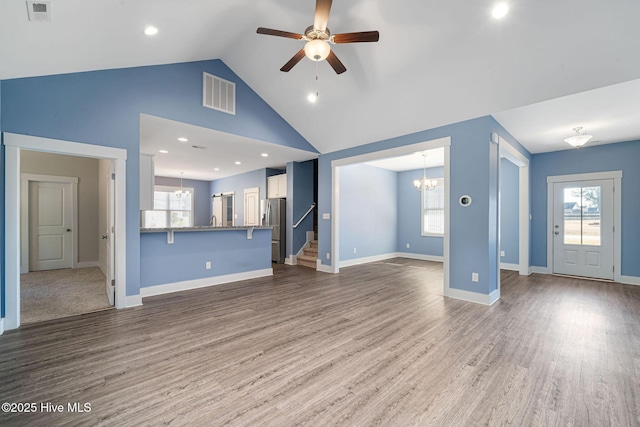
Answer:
(14, 144)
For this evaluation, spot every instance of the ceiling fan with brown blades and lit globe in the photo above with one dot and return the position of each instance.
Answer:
(318, 38)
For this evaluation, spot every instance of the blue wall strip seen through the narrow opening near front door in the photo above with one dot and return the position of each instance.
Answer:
(509, 209)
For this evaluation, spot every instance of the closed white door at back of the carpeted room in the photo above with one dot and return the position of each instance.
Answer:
(51, 219)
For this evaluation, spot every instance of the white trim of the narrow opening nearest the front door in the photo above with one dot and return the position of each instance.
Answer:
(510, 153)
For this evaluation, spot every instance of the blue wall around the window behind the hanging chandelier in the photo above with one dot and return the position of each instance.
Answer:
(409, 218)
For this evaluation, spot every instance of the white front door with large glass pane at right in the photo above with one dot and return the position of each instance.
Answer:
(583, 235)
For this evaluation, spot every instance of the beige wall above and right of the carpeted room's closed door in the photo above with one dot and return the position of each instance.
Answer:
(86, 170)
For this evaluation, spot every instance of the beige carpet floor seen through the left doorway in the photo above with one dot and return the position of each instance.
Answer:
(53, 294)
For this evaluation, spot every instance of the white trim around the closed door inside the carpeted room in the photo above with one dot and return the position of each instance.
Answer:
(26, 179)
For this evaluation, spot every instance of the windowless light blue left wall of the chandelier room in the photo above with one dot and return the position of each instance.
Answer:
(368, 211)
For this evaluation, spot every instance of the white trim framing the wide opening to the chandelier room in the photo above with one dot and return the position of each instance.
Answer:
(382, 154)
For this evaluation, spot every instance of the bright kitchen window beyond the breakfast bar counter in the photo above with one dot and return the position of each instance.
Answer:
(169, 210)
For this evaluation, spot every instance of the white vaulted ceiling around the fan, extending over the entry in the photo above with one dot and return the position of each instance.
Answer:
(436, 63)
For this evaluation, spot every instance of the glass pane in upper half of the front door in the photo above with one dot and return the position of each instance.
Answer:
(582, 216)
